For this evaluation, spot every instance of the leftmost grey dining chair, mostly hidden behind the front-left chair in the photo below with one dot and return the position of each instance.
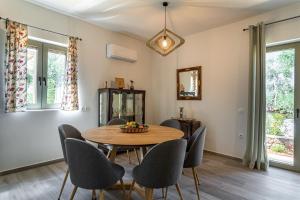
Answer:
(67, 131)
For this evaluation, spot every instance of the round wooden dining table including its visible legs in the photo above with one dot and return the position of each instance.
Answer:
(112, 135)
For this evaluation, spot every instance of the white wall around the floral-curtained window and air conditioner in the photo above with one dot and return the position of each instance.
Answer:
(32, 137)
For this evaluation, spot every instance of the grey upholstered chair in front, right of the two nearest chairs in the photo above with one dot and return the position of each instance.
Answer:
(161, 167)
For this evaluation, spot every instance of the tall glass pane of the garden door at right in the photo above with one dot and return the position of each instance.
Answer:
(280, 78)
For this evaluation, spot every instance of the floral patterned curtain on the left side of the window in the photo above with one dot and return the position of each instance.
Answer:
(16, 69)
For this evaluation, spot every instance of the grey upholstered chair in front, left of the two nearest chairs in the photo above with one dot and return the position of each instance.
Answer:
(90, 169)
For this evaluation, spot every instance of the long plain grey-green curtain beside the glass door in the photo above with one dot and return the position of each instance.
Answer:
(256, 153)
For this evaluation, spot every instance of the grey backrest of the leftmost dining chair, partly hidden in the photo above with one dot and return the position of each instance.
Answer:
(67, 131)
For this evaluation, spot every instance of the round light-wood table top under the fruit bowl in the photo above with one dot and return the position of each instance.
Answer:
(113, 135)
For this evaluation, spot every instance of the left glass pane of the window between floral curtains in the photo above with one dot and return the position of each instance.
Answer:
(32, 56)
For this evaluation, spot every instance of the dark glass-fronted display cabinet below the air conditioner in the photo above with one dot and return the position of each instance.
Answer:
(121, 103)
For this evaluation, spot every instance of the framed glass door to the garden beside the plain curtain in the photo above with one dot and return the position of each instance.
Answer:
(282, 105)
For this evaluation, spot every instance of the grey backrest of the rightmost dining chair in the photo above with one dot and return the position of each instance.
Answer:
(195, 148)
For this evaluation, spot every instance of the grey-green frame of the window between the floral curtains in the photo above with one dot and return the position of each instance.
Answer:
(42, 73)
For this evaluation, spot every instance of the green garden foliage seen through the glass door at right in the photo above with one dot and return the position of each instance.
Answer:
(279, 90)
